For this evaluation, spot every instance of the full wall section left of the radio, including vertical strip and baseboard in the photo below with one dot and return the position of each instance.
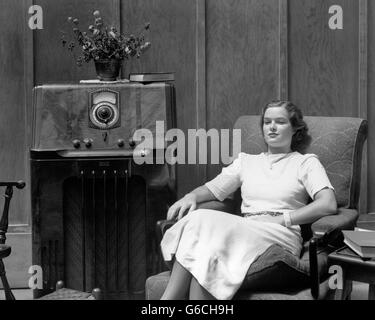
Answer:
(14, 66)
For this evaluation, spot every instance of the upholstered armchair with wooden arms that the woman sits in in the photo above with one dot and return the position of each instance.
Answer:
(338, 142)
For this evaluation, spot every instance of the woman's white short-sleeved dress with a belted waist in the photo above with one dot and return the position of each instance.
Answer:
(218, 248)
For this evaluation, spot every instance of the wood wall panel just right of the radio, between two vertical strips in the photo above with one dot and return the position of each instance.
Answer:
(243, 60)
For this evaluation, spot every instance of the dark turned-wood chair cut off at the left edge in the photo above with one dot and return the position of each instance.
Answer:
(4, 249)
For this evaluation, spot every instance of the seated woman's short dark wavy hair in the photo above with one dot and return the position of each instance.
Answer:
(301, 139)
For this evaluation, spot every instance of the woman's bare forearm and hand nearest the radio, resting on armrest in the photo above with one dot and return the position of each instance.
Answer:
(189, 202)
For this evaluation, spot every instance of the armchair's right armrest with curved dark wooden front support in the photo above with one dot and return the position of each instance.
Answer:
(326, 230)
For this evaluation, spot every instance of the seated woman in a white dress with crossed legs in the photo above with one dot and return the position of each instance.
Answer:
(213, 250)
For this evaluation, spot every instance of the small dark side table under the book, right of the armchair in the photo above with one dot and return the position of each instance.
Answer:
(354, 268)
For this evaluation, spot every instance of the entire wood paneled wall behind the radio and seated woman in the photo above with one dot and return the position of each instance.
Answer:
(230, 57)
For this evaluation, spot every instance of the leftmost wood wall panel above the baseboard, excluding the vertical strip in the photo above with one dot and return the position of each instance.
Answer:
(13, 162)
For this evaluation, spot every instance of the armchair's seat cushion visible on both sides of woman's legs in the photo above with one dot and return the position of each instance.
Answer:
(262, 276)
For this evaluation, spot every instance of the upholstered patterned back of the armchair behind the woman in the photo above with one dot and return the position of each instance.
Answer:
(338, 143)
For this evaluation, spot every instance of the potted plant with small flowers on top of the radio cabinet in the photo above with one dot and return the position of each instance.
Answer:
(105, 46)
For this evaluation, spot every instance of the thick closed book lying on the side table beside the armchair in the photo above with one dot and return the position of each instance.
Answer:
(361, 242)
